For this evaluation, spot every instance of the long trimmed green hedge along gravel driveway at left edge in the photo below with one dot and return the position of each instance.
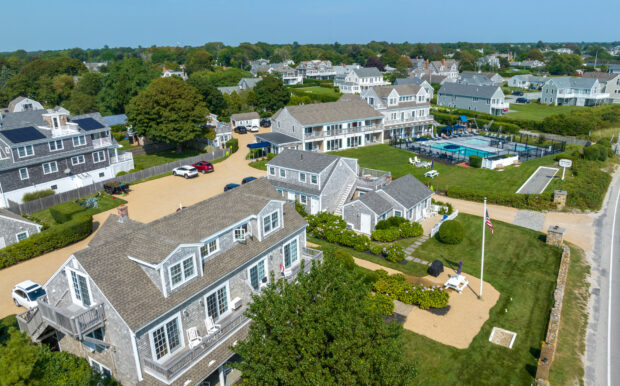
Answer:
(48, 240)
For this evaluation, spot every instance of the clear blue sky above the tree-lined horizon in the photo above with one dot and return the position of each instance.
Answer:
(57, 24)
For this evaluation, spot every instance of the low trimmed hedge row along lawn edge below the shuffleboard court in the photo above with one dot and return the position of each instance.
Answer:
(521, 201)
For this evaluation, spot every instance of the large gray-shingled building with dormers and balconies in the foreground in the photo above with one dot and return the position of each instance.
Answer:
(161, 303)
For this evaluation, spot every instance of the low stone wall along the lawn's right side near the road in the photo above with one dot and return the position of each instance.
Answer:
(551, 340)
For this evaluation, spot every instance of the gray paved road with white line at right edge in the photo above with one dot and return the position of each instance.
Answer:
(603, 336)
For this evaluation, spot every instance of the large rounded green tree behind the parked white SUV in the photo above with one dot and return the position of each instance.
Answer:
(168, 110)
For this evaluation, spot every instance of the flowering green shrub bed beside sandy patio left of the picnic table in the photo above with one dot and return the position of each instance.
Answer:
(397, 287)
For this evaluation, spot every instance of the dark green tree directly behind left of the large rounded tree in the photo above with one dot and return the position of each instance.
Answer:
(125, 79)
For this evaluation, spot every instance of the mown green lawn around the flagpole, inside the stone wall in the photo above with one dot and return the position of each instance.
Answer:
(523, 269)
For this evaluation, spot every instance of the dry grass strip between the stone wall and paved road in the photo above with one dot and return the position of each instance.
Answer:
(567, 367)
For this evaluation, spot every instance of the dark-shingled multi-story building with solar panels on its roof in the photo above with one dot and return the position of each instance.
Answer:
(51, 149)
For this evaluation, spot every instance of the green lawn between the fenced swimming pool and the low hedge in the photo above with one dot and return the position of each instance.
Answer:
(389, 158)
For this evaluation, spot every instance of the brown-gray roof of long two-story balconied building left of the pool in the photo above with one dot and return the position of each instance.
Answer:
(340, 111)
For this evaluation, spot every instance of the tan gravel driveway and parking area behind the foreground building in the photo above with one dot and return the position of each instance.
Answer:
(147, 201)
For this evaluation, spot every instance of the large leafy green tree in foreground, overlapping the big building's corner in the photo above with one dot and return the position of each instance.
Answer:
(325, 329)
